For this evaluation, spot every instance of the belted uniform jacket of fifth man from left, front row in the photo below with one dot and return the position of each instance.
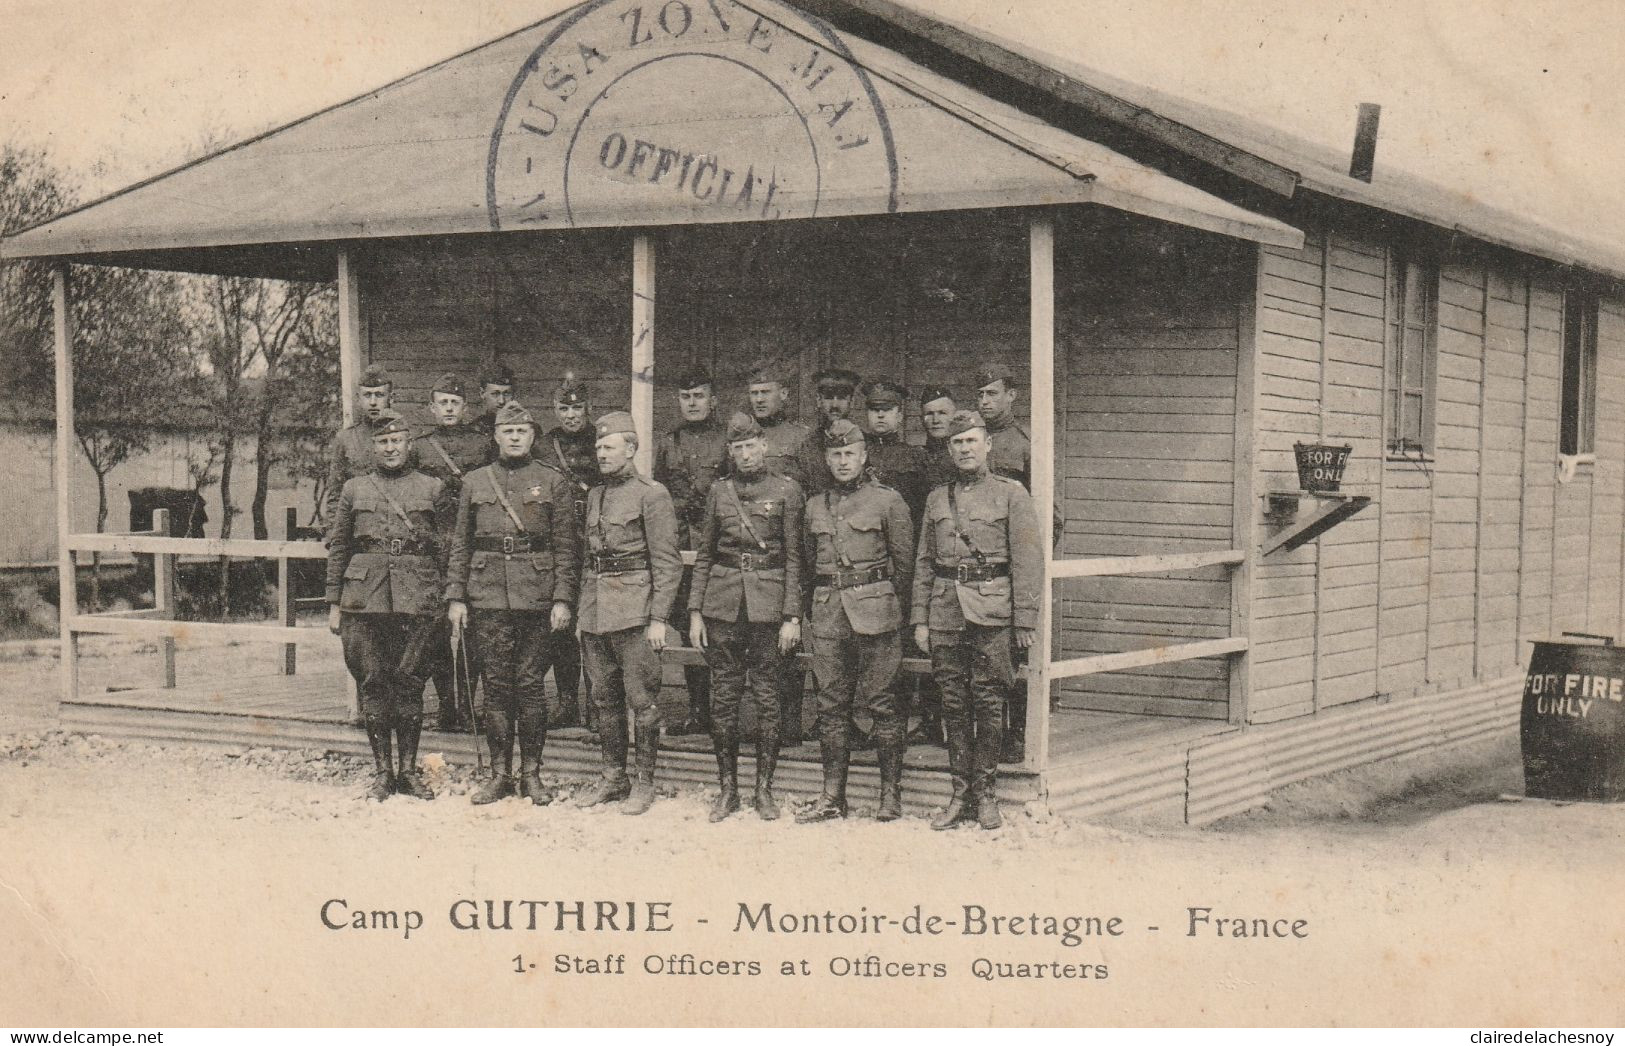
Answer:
(859, 530)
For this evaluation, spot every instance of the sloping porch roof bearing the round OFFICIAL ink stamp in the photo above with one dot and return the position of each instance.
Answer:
(604, 118)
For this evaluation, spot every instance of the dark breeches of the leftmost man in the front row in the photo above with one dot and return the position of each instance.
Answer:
(389, 659)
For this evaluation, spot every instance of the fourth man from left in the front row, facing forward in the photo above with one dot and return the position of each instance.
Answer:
(745, 610)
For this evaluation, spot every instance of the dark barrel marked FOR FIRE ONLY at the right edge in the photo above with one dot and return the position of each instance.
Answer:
(1574, 722)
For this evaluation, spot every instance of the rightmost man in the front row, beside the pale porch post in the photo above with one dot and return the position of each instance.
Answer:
(979, 574)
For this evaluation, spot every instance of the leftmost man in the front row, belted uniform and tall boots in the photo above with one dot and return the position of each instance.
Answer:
(384, 597)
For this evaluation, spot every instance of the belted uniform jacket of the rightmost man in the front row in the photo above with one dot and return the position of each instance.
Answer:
(1000, 524)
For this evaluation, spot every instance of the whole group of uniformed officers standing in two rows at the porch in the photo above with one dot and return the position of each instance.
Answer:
(490, 550)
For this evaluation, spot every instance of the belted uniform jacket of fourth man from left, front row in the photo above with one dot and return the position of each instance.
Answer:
(771, 590)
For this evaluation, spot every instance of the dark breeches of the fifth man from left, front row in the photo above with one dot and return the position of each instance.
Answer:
(856, 673)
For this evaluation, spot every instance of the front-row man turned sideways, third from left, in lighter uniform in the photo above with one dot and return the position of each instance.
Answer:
(630, 581)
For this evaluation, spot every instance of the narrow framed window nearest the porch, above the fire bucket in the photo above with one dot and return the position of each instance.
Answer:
(1413, 358)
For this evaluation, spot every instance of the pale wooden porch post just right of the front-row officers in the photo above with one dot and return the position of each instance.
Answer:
(1041, 243)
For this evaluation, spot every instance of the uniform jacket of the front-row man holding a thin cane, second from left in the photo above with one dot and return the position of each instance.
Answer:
(513, 577)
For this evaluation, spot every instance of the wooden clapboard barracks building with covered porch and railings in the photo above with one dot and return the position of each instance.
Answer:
(636, 188)
